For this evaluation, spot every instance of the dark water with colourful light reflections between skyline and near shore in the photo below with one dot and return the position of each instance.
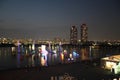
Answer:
(16, 57)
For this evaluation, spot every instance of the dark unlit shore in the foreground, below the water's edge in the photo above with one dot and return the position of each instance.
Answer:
(73, 71)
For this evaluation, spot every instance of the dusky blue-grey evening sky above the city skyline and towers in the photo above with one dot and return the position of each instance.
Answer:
(46, 19)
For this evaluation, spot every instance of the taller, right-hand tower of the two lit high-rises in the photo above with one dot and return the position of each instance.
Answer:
(84, 34)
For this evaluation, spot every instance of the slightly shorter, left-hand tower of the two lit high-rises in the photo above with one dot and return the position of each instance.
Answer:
(73, 35)
